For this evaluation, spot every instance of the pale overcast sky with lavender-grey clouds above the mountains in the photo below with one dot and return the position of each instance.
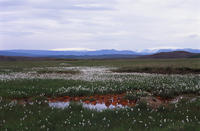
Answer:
(99, 24)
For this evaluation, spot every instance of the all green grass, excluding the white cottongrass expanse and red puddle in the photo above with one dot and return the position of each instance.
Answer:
(181, 116)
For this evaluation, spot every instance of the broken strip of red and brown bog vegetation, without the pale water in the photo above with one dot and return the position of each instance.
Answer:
(110, 99)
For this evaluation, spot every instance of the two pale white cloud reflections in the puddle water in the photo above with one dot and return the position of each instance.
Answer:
(98, 107)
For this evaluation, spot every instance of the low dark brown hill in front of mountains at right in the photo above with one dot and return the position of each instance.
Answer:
(174, 54)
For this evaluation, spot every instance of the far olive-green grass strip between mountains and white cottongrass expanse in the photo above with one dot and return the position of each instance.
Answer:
(190, 63)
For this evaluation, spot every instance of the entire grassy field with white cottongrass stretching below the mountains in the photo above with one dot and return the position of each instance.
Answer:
(163, 101)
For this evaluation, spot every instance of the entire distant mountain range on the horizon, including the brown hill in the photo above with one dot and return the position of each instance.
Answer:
(103, 54)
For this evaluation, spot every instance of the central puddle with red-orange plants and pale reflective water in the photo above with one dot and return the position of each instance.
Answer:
(98, 102)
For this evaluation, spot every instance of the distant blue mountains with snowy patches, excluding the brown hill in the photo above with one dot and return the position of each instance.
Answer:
(48, 53)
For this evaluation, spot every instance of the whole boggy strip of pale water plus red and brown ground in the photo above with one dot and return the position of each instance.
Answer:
(103, 102)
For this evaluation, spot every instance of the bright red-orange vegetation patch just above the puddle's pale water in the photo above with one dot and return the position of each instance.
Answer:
(98, 99)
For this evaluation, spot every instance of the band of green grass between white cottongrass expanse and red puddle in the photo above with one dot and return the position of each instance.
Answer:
(164, 86)
